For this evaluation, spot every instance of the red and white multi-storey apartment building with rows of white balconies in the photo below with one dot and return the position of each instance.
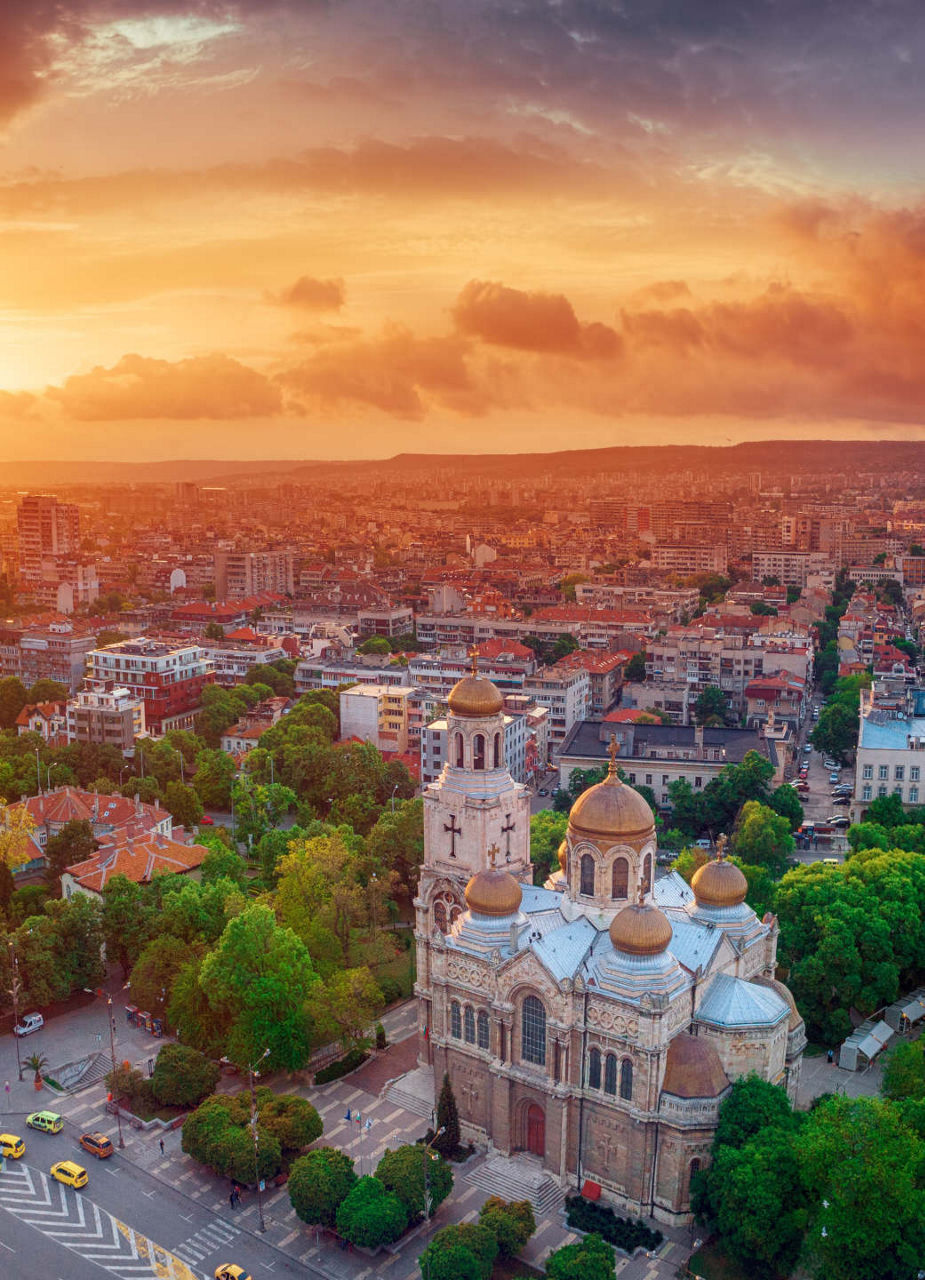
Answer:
(170, 679)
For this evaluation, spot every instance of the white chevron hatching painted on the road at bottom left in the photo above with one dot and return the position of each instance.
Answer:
(75, 1222)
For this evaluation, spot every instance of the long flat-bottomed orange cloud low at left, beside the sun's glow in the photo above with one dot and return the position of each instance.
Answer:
(203, 387)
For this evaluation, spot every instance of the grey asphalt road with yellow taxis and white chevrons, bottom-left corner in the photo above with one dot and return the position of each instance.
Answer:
(127, 1222)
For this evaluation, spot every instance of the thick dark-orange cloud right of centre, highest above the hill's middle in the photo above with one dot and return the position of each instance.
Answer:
(530, 322)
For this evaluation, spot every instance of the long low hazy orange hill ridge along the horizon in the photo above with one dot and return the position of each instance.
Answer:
(770, 458)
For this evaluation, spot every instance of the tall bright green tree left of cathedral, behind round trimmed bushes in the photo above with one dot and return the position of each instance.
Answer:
(260, 976)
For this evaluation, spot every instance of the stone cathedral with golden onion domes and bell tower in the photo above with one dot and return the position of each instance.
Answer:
(597, 1022)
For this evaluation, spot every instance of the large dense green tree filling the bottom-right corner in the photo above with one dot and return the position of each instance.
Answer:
(863, 1167)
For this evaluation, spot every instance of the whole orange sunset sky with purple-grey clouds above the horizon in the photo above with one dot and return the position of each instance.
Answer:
(363, 227)
